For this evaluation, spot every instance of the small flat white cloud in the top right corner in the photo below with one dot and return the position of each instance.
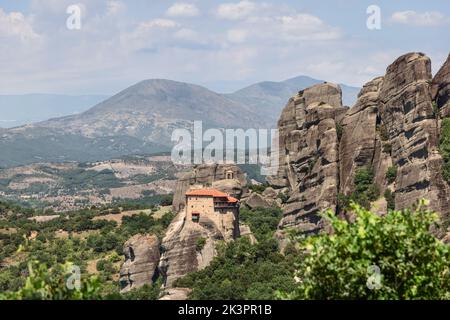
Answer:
(424, 19)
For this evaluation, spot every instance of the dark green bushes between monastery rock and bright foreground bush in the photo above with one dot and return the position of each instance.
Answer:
(243, 271)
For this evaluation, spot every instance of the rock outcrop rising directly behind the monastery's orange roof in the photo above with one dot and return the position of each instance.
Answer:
(225, 177)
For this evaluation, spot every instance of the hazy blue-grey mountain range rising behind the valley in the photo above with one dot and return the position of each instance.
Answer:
(141, 118)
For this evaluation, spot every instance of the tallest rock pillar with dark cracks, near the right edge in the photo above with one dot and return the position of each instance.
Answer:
(406, 111)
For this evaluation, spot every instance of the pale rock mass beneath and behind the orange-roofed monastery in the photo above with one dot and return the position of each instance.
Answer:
(181, 252)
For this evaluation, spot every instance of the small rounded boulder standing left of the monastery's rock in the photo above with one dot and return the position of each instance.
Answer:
(142, 258)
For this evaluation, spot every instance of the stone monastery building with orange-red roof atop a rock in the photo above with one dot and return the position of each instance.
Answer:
(214, 208)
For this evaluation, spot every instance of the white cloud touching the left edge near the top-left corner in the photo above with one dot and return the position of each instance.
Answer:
(16, 25)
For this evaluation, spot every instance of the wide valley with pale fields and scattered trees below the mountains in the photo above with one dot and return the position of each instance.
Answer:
(71, 186)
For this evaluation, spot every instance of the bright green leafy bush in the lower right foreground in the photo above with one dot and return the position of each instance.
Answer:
(413, 264)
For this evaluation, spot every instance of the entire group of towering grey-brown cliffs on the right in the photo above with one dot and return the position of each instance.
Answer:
(395, 122)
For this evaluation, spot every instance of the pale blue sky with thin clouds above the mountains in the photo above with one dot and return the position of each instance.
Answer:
(223, 45)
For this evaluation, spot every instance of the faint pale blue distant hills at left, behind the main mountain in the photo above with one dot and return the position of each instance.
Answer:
(17, 110)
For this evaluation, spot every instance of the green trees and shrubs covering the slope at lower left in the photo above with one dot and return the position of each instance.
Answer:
(87, 241)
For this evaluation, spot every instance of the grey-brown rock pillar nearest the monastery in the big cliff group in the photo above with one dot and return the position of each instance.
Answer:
(309, 155)
